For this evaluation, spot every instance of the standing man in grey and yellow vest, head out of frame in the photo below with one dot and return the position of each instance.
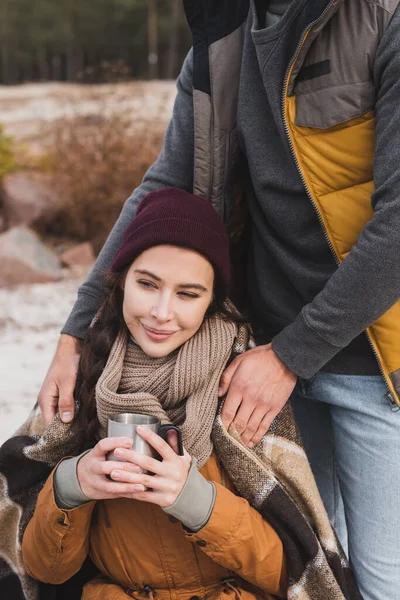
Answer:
(309, 91)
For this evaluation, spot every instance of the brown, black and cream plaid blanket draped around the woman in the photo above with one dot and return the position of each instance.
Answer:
(274, 477)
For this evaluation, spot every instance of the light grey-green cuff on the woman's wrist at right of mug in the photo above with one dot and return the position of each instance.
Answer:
(195, 503)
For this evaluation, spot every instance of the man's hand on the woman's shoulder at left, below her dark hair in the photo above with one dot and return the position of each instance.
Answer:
(58, 386)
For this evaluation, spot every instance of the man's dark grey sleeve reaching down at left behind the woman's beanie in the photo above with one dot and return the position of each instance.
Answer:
(174, 167)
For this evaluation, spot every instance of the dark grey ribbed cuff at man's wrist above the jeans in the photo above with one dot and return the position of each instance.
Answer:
(301, 349)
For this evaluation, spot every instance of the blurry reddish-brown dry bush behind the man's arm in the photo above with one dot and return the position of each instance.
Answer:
(96, 161)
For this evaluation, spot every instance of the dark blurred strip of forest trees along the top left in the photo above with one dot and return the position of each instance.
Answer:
(91, 40)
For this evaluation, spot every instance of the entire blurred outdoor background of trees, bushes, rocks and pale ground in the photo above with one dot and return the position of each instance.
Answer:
(86, 91)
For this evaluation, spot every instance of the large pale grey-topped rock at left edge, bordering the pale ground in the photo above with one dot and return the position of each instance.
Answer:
(24, 259)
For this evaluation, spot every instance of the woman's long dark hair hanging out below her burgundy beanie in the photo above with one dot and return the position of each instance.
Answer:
(102, 333)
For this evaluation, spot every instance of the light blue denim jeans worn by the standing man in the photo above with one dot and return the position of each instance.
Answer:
(352, 439)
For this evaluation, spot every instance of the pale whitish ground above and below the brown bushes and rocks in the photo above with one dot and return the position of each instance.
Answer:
(31, 316)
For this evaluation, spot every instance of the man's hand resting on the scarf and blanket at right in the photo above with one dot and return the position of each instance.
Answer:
(258, 386)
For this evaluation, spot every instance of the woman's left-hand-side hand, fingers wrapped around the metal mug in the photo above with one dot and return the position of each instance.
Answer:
(93, 469)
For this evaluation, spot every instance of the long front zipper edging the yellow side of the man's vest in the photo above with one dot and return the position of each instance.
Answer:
(394, 403)
